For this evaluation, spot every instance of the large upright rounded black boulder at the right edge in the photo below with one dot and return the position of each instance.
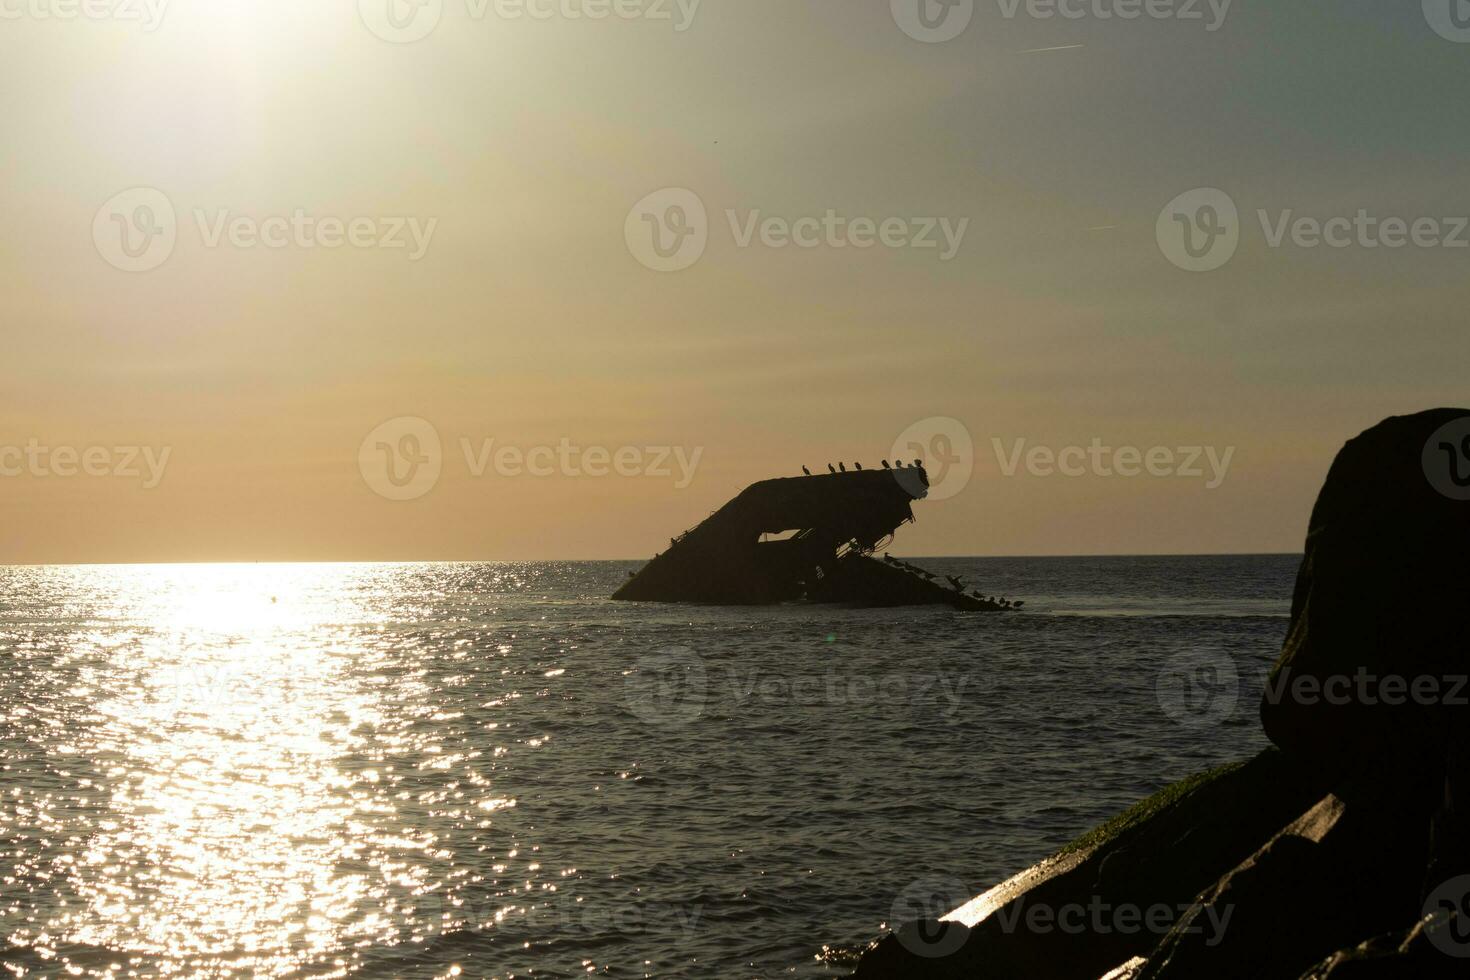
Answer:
(1381, 596)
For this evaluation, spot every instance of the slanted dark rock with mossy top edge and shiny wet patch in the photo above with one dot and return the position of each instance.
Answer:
(1149, 863)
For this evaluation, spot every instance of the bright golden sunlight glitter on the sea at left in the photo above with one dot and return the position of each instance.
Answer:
(264, 807)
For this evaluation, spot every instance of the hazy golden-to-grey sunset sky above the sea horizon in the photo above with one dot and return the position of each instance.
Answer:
(465, 280)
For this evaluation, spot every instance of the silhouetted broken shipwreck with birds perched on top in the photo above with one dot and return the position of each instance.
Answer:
(808, 538)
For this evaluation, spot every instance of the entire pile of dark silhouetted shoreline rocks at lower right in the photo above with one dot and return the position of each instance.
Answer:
(1343, 856)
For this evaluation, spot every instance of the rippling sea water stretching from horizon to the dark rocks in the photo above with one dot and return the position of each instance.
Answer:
(490, 771)
